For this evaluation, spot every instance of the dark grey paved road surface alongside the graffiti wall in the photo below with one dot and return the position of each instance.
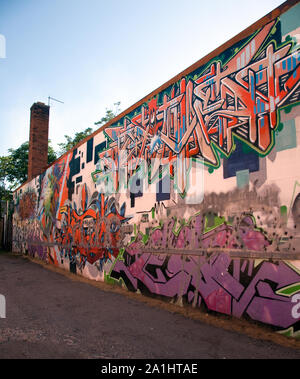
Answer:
(50, 316)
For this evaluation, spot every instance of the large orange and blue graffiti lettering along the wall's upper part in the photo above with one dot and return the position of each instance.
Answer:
(202, 113)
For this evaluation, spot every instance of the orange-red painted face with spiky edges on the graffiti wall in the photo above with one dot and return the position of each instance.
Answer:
(92, 232)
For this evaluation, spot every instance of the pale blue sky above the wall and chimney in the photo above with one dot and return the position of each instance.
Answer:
(92, 53)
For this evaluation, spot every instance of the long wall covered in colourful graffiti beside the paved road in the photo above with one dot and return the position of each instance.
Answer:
(192, 194)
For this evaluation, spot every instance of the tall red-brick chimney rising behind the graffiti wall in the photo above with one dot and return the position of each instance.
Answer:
(38, 139)
